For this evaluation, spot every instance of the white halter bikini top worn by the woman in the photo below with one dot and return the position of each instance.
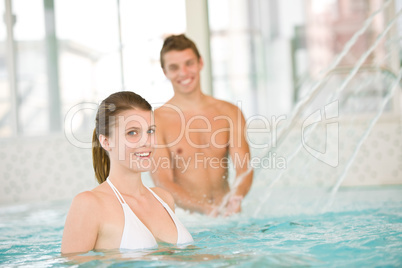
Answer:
(136, 235)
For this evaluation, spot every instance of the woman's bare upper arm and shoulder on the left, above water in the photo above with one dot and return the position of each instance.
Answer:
(82, 224)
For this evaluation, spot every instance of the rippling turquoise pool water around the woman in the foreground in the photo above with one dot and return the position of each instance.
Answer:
(366, 231)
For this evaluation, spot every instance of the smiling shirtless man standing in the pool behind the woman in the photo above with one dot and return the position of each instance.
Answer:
(195, 134)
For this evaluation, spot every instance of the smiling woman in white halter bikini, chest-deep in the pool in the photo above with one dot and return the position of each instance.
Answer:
(121, 212)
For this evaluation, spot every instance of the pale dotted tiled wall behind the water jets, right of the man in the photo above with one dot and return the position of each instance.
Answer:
(377, 162)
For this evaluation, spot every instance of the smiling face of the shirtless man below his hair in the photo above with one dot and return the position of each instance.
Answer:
(183, 68)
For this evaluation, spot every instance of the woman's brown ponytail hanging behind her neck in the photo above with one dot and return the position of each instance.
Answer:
(100, 159)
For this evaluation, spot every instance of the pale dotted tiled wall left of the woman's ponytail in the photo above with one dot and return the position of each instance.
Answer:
(44, 168)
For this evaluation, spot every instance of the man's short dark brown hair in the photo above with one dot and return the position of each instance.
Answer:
(177, 42)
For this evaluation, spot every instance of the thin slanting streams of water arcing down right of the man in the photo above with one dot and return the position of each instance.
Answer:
(306, 103)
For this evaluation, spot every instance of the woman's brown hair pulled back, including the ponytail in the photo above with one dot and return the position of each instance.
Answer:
(110, 107)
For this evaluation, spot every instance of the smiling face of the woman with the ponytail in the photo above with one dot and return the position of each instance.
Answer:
(131, 140)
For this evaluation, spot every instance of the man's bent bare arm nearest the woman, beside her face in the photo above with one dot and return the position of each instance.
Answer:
(163, 176)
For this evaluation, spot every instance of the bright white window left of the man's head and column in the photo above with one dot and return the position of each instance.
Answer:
(73, 52)
